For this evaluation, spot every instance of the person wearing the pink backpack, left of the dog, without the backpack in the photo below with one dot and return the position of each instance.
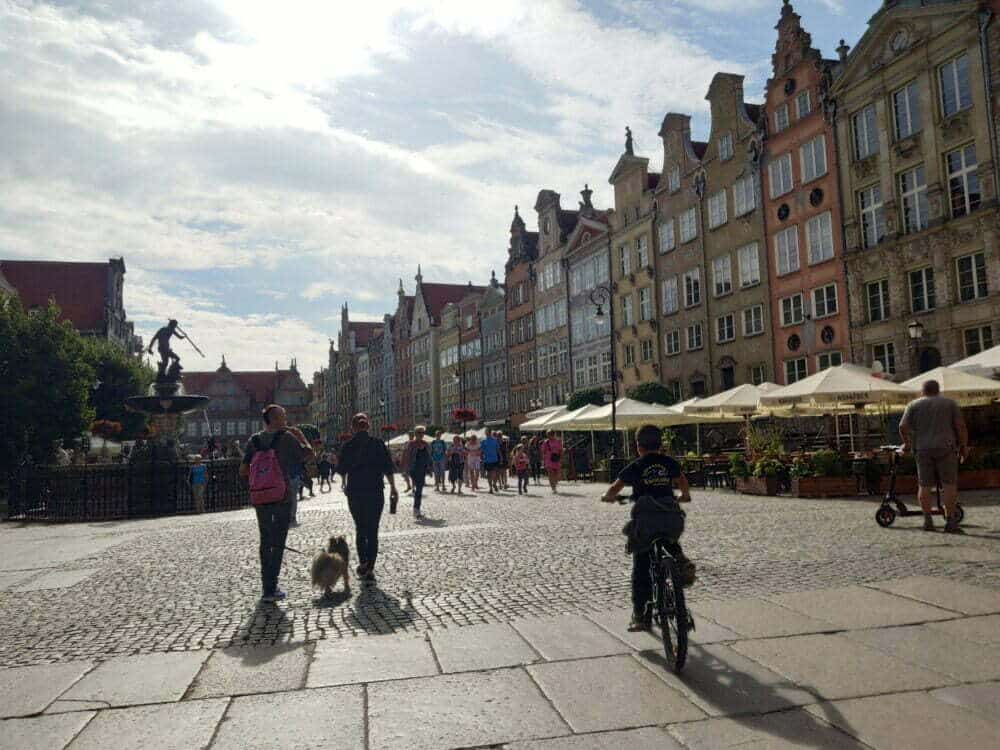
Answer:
(291, 448)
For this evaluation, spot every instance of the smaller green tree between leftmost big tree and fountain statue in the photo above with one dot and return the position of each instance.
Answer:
(118, 376)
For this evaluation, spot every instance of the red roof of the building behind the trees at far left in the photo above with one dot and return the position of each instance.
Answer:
(80, 289)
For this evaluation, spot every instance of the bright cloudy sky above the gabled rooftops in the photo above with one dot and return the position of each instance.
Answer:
(259, 164)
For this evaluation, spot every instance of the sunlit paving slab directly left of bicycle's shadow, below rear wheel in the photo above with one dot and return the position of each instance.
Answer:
(614, 692)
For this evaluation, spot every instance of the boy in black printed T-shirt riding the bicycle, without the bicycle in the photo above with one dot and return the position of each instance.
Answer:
(655, 514)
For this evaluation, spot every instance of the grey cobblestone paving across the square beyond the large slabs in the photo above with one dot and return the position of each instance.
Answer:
(91, 591)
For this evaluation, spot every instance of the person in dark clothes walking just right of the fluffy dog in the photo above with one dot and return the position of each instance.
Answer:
(363, 463)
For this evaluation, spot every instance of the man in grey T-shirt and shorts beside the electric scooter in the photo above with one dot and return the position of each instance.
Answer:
(934, 428)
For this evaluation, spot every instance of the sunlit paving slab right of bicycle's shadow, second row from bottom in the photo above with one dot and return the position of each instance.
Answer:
(833, 666)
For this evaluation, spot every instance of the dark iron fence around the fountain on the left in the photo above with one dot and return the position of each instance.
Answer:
(104, 492)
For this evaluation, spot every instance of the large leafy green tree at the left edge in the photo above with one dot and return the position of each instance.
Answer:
(46, 382)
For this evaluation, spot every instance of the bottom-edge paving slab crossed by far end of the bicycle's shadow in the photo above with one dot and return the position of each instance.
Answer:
(778, 731)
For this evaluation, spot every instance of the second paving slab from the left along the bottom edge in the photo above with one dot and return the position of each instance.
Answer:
(168, 726)
